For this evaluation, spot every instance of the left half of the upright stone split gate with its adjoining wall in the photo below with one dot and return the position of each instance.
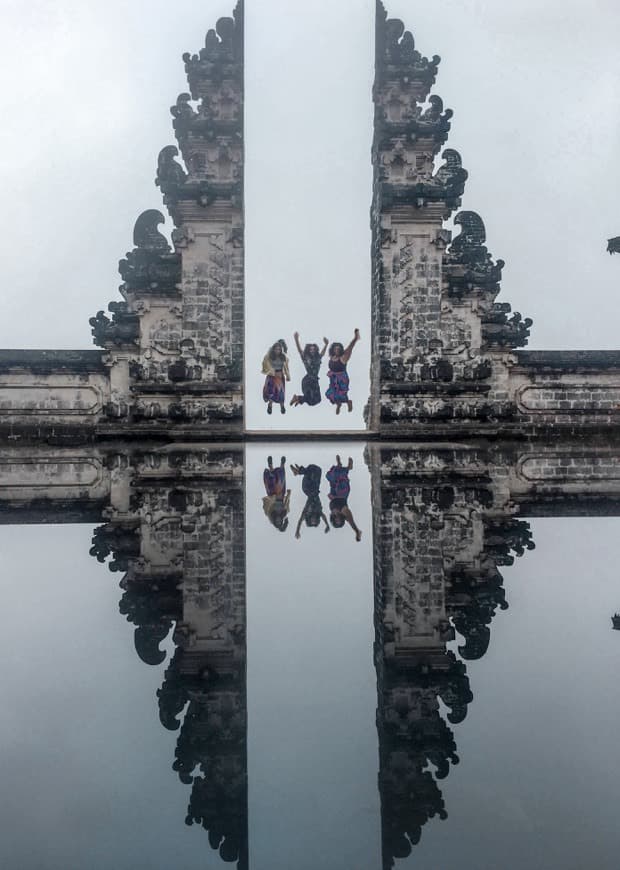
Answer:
(173, 346)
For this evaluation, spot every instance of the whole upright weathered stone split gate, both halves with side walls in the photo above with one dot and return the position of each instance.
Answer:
(446, 356)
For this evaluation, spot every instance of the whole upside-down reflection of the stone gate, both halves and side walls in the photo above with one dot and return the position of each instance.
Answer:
(446, 519)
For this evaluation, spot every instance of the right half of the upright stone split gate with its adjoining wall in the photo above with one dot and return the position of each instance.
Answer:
(444, 351)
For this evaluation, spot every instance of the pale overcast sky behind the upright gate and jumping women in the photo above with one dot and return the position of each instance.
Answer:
(87, 88)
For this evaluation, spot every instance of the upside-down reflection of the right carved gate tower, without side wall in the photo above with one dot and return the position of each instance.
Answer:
(440, 534)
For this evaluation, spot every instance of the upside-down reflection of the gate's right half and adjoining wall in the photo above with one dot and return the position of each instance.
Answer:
(446, 519)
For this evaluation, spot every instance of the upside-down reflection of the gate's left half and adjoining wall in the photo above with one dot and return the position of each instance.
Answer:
(172, 525)
